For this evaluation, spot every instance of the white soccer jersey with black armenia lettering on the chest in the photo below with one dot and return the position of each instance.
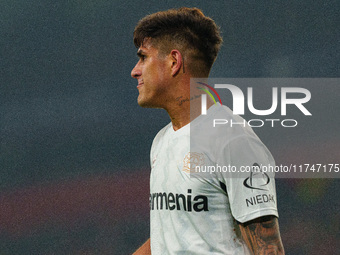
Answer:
(200, 215)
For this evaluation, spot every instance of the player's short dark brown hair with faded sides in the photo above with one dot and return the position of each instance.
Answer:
(196, 36)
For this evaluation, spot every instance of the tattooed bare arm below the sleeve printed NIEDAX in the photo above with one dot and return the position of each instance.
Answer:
(262, 235)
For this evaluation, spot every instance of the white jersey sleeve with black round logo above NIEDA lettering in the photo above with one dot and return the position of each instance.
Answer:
(249, 183)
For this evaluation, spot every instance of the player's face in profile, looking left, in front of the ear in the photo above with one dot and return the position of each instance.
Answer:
(151, 71)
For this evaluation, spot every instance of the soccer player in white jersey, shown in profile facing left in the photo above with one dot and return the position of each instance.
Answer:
(213, 215)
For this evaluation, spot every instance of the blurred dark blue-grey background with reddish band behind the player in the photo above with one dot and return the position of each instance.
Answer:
(74, 155)
